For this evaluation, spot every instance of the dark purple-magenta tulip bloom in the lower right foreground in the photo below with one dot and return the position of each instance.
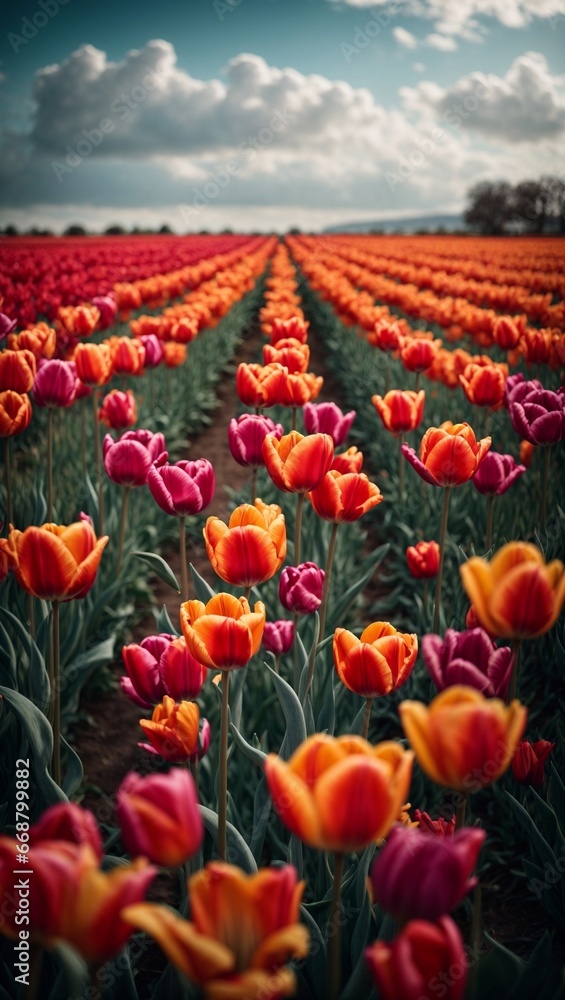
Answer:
(421, 876)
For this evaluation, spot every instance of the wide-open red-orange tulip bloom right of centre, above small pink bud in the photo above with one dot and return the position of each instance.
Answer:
(339, 498)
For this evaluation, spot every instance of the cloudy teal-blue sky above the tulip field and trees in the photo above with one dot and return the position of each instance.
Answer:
(267, 114)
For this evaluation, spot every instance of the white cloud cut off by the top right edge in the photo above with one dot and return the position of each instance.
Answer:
(460, 17)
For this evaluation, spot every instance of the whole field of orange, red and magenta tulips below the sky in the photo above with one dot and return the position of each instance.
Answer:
(350, 741)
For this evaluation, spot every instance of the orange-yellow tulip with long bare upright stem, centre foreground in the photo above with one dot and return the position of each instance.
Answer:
(223, 634)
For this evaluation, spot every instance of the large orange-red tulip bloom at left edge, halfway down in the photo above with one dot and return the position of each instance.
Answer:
(54, 562)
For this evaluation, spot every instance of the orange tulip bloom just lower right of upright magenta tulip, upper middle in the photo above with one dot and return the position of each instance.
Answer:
(298, 462)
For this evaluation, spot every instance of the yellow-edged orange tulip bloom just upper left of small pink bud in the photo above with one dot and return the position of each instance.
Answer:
(251, 548)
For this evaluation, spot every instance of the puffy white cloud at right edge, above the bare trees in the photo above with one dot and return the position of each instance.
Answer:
(526, 105)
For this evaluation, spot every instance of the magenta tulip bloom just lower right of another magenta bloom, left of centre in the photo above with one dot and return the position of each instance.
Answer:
(183, 488)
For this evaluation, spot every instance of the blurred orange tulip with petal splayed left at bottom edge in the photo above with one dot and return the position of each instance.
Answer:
(243, 931)
